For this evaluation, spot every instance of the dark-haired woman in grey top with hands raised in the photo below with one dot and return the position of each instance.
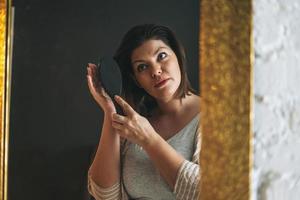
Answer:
(150, 152)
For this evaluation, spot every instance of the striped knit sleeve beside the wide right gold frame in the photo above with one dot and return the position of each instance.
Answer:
(188, 176)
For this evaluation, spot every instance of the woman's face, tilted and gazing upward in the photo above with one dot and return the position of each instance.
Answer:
(156, 69)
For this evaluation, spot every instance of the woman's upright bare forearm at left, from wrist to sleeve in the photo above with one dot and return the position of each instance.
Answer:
(105, 170)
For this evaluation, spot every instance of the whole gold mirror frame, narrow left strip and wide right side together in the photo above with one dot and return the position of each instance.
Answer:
(226, 89)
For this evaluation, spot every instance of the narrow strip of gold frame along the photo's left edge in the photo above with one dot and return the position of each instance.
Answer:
(6, 31)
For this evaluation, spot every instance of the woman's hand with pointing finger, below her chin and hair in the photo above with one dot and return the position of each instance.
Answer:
(133, 126)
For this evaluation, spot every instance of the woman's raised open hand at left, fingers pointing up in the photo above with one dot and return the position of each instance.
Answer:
(97, 91)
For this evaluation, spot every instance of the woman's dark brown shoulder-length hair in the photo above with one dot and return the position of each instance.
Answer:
(137, 97)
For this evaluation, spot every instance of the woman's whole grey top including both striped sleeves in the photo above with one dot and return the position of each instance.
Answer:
(142, 181)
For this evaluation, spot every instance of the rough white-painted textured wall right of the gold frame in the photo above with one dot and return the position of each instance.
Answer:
(276, 174)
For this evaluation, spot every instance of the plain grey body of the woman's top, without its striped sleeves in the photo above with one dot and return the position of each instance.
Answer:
(141, 179)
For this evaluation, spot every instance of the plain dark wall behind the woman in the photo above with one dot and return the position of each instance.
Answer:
(55, 124)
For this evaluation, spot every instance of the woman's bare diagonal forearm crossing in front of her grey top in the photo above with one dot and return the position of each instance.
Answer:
(165, 159)
